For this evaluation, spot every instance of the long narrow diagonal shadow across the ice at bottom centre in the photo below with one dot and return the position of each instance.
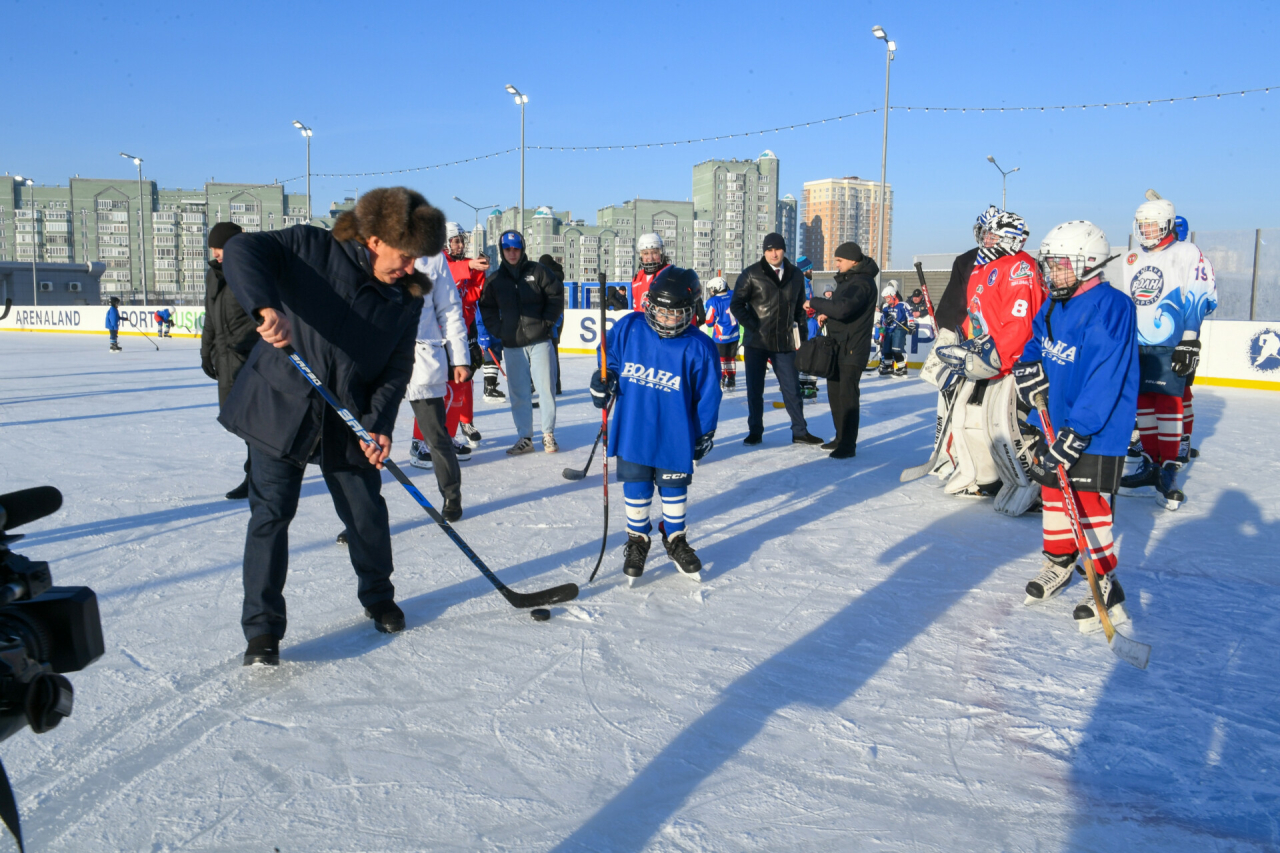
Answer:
(822, 669)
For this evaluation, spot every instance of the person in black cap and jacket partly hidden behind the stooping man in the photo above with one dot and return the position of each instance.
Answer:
(228, 335)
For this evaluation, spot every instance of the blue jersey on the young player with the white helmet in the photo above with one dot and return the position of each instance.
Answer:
(1092, 366)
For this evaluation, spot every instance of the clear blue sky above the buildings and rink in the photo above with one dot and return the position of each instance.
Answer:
(209, 90)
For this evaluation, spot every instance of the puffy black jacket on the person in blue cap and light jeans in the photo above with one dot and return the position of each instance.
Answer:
(522, 304)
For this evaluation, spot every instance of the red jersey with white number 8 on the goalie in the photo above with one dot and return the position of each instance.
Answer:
(1003, 299)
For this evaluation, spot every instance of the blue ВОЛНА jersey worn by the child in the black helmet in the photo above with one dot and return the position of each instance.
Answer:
(669, 394)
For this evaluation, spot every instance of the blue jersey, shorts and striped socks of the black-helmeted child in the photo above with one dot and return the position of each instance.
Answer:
(669, 396)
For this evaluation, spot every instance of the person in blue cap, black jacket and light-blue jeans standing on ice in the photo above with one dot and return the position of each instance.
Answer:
(522, 303)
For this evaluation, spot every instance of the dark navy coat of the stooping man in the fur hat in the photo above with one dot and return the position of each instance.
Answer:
(356, 334)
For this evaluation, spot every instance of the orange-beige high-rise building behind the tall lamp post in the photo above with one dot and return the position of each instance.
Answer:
(839, 211)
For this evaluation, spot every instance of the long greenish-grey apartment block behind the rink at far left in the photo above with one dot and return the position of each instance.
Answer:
(99, 221)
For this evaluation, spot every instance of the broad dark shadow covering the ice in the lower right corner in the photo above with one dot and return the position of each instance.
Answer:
(1187, 755)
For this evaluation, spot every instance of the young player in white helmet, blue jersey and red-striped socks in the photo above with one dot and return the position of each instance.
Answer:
(1085, 354)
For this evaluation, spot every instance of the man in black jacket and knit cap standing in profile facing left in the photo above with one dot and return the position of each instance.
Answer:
(848, 316)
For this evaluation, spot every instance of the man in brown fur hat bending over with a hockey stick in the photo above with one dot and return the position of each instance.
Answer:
(349, 302)
